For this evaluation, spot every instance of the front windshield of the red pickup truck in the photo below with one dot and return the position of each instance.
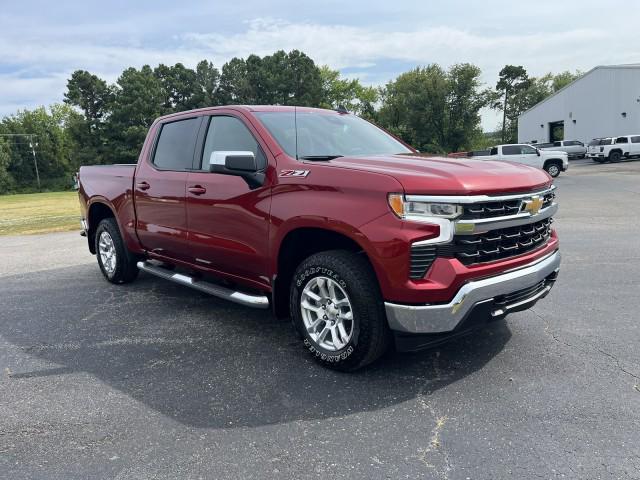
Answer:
(326, 135)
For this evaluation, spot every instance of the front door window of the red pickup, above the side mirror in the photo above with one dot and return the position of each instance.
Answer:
(230, 134)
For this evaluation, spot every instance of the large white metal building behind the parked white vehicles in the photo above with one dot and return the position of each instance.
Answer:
(604, 102)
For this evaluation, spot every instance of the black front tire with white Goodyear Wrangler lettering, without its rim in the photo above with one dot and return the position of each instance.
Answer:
(371, 335)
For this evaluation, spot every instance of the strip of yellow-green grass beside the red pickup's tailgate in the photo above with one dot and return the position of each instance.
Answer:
(39, 213)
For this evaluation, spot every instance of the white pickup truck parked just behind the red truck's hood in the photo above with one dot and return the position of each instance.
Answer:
(552, 161)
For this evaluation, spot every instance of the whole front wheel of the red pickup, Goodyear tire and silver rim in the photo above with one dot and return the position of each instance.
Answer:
(337, 309)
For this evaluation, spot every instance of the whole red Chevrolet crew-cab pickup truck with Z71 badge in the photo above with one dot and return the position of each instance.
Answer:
(329, 220)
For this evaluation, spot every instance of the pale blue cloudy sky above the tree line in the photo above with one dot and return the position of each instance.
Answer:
(42, 42)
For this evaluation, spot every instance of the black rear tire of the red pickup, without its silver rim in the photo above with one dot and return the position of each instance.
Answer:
(125, 270)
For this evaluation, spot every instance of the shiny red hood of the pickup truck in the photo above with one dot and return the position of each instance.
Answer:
(448, 176)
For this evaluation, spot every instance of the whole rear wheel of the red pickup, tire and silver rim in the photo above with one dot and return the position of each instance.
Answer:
(117, 264)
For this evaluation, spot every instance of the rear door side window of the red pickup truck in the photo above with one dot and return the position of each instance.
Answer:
(176, 144)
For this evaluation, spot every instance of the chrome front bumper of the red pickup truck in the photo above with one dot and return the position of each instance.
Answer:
(446, 317)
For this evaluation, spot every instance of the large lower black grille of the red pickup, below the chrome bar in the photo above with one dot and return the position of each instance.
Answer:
(498, 244)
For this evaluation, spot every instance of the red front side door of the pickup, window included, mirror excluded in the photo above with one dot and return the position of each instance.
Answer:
(228, 222)
